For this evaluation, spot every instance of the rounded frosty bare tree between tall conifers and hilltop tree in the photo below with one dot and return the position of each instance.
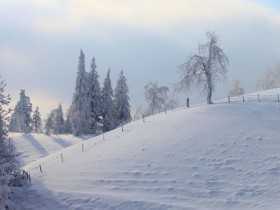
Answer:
(155, 96)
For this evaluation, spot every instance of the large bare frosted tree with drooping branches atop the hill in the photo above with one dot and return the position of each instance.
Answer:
(204, 69)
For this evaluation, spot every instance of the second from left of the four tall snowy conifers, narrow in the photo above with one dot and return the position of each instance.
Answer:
(94, 95)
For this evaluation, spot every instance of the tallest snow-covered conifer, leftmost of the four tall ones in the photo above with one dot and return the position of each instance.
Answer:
(80, 111)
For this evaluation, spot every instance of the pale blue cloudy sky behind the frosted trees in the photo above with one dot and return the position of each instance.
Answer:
(40, 42)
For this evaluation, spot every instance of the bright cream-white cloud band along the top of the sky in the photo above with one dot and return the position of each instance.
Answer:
(156, 15)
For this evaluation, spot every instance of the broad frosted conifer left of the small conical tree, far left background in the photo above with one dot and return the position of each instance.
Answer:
(21, 120)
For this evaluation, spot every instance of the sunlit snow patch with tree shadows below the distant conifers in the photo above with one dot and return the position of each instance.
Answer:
(32, 147)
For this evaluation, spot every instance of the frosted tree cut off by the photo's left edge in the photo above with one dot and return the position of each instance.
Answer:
(9, 176)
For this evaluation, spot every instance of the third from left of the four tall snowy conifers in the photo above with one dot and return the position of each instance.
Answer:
(109, 121)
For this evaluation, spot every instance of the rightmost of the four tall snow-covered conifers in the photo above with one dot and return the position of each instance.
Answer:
(121, 100)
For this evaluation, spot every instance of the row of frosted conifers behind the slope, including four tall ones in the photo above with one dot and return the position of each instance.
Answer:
(93, 110)
